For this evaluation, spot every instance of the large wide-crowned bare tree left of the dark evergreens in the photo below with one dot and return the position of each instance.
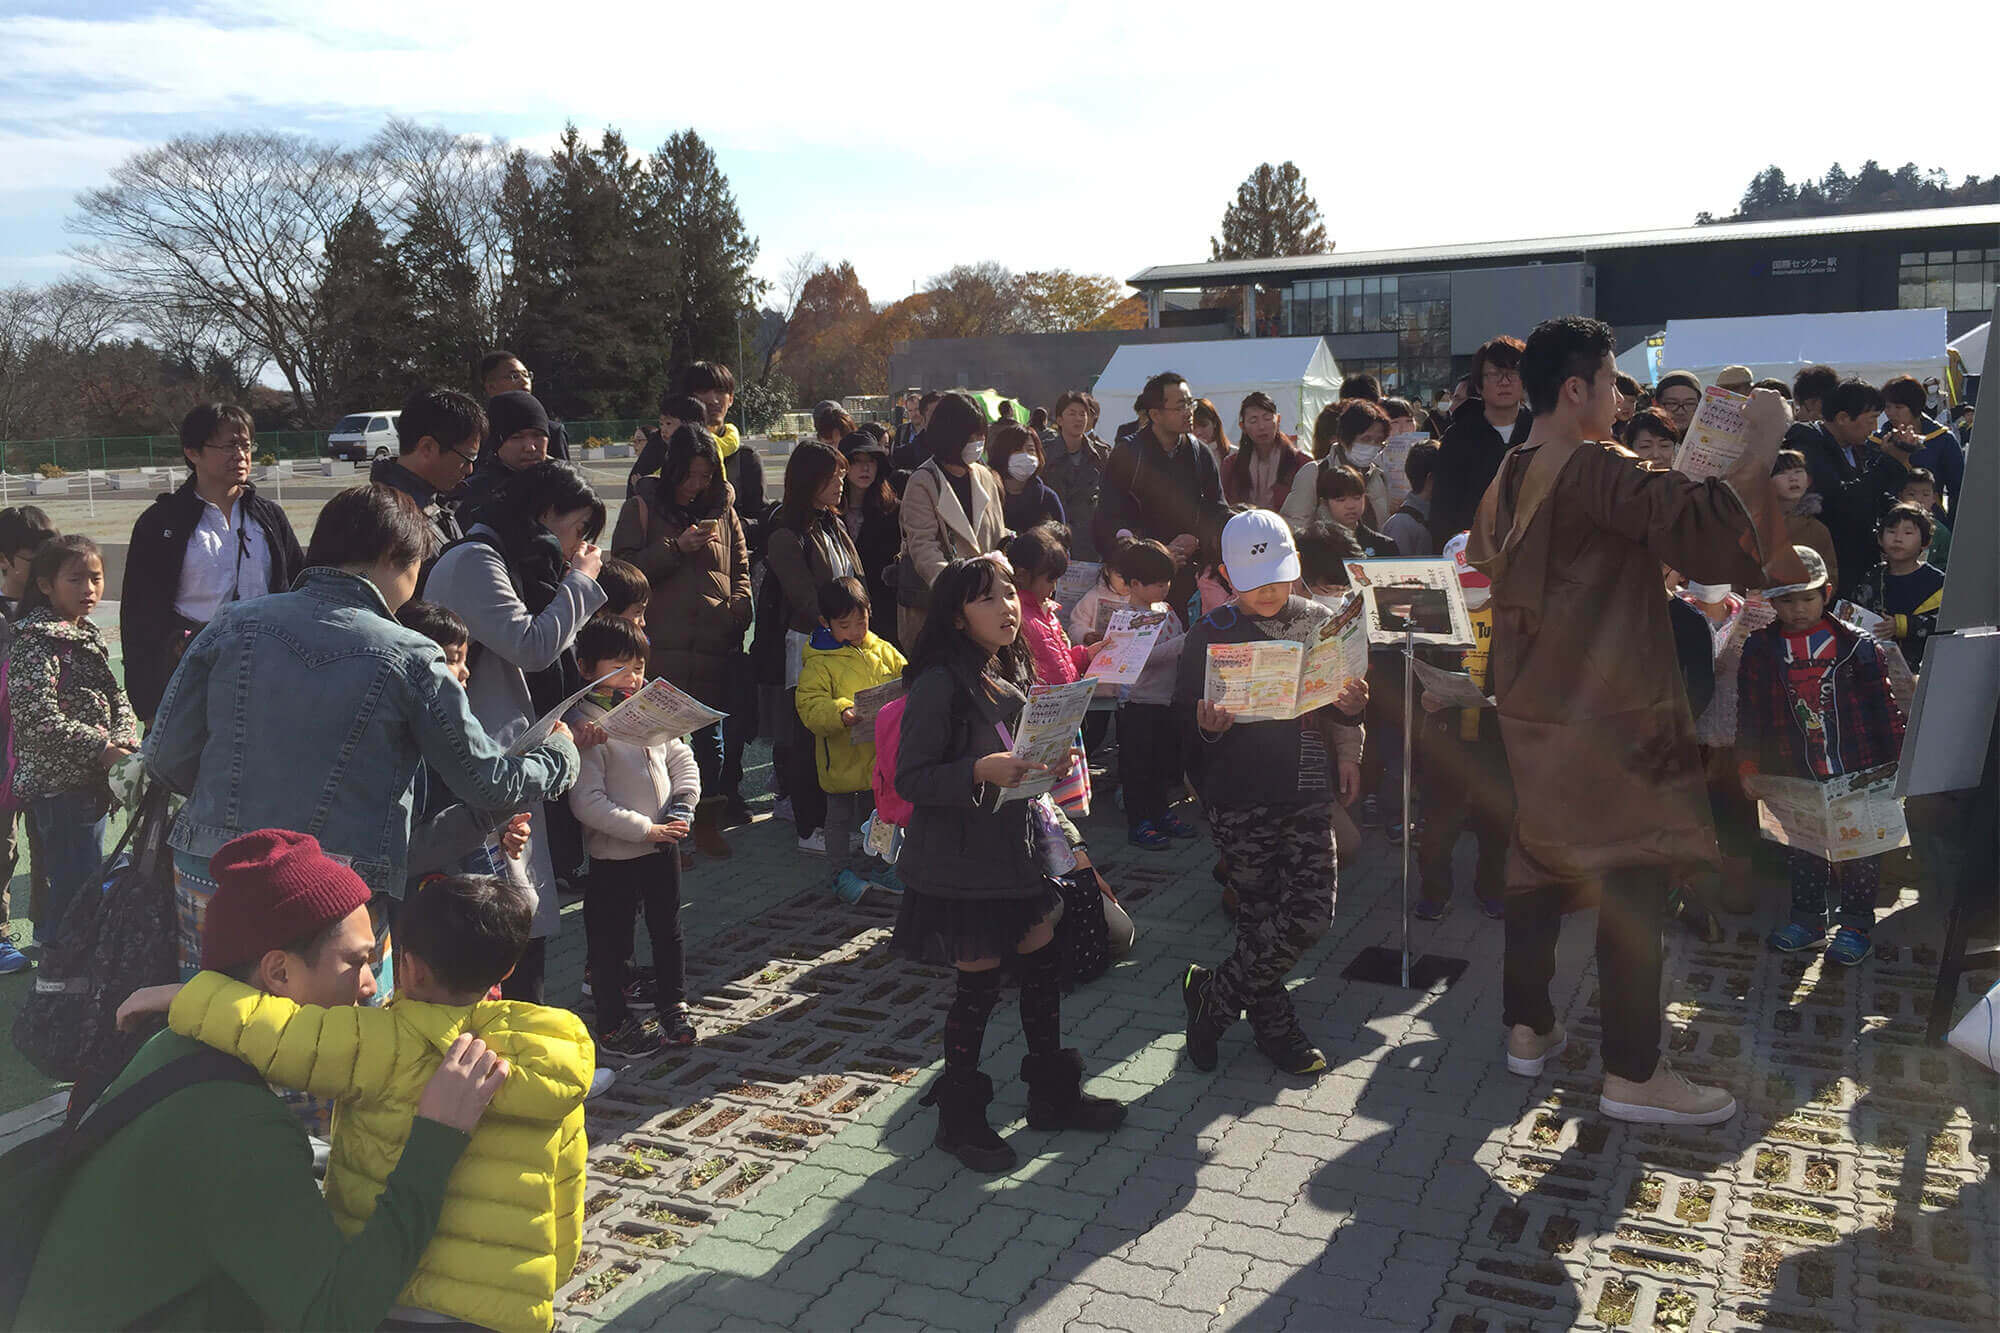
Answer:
(233, 225)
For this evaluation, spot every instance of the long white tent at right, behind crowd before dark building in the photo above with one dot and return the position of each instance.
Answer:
(1871, 345)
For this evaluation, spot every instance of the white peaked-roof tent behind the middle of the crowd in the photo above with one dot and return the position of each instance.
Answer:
(1299, 373)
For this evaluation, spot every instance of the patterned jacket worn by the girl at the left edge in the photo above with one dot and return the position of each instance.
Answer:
(65, 706)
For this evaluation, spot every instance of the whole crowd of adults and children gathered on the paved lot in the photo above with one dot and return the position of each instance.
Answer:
(369, 810)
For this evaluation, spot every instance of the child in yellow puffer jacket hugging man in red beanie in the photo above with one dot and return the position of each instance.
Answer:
(515, 1206)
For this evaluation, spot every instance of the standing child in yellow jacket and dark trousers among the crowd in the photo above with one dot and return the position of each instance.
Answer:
(843, 661)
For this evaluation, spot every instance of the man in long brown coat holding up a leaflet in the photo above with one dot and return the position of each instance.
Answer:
(1595, 718)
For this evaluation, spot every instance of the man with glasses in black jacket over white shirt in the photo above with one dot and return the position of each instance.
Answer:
(213, 541)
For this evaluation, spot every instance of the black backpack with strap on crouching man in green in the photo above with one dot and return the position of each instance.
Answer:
(37, 1174)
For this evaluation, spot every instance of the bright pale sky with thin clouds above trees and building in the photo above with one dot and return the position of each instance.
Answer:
(1093, 137)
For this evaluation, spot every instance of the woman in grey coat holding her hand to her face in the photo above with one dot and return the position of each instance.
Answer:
(525, 581)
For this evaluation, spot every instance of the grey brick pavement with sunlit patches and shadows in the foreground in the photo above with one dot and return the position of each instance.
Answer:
(781, 1176)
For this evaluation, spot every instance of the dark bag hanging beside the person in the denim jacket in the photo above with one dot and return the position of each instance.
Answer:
(115, 938)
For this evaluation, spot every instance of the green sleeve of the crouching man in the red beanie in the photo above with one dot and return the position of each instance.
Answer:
(271, 1234)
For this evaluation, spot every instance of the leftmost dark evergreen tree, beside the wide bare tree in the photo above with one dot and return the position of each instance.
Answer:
(367, 313)
